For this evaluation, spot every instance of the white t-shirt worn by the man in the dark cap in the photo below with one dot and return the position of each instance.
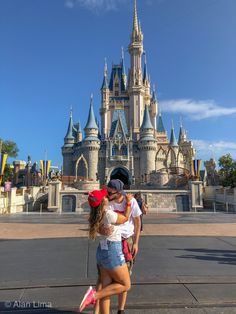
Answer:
(126, 229)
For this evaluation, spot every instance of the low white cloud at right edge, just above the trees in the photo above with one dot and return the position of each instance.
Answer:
(207, 149)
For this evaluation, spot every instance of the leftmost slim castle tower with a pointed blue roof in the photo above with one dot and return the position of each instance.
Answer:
(67, 149)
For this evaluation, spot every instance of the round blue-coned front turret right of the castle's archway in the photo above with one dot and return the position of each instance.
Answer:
(147, 145)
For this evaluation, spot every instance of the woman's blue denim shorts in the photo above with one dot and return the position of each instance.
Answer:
(111, 258)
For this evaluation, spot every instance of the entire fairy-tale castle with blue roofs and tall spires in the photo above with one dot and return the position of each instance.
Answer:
(132, 143)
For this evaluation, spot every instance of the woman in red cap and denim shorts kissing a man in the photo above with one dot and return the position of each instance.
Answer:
(115, 277)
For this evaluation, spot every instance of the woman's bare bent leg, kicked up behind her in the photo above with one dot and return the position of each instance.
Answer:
(120, 276)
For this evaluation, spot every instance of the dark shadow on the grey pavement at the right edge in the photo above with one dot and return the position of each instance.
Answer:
(220, 256)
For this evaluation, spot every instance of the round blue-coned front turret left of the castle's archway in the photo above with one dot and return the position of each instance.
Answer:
(91, 144)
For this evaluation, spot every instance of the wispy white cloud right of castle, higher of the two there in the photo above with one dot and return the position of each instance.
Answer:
(196, 110)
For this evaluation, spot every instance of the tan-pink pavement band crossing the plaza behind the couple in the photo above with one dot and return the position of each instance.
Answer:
(40, 231)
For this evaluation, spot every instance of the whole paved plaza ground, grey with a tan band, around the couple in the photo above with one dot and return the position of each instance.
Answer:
(186, 264)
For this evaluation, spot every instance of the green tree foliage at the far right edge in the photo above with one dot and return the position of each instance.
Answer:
(227, 171)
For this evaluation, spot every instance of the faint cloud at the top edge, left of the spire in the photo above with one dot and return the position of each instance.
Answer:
(94, 5)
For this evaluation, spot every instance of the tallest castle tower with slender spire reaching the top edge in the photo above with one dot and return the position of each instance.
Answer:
(135, 84)
